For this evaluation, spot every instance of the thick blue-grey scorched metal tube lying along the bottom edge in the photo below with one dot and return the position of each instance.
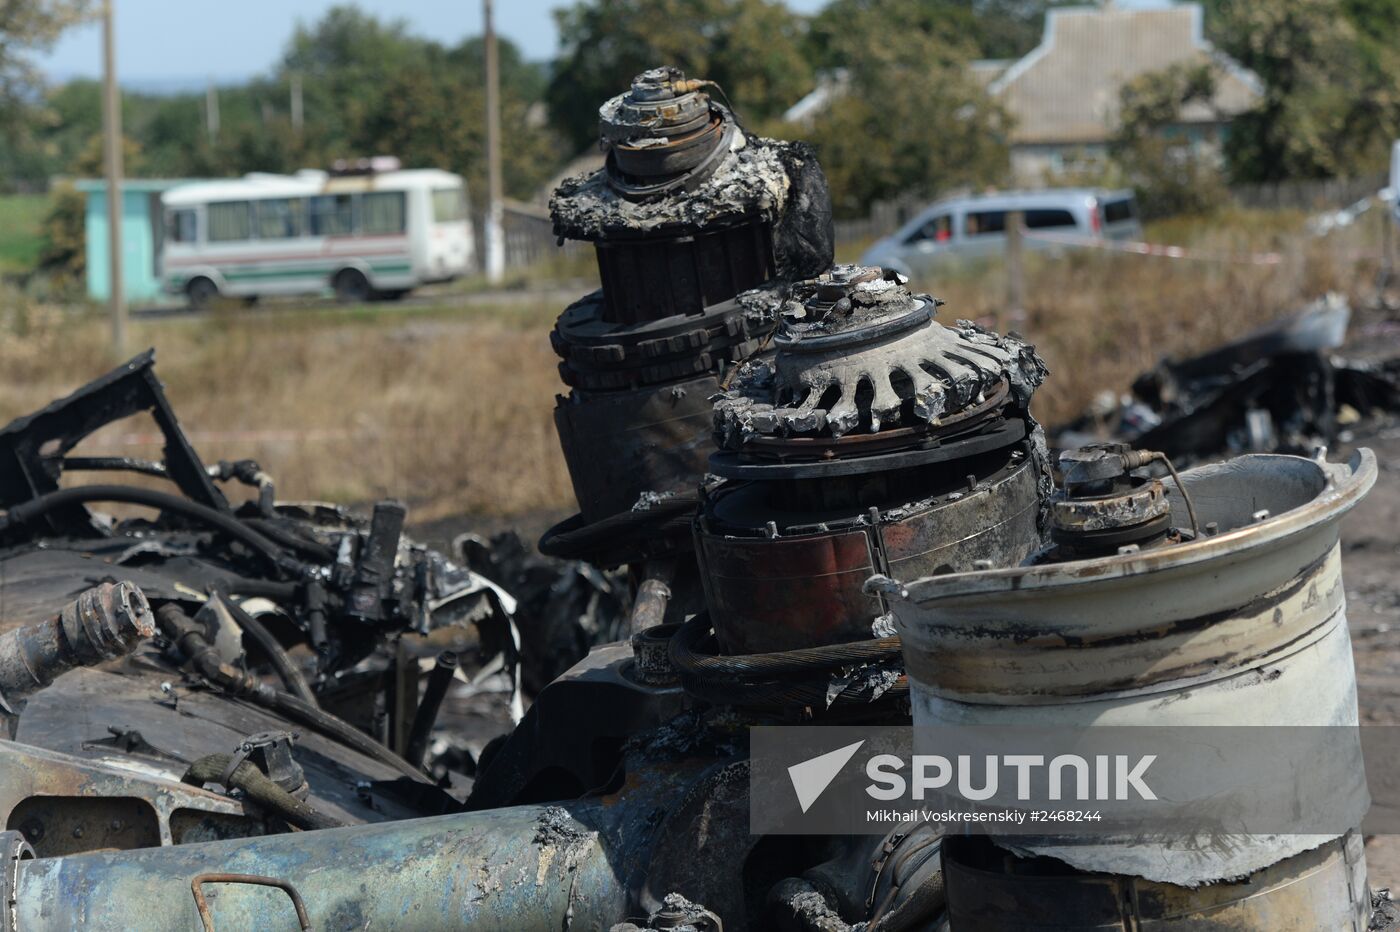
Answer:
(523, 868)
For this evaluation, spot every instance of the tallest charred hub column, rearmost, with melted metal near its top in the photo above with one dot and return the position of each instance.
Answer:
(688, 213)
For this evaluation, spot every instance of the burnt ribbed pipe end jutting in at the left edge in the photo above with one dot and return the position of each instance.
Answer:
(101, 625)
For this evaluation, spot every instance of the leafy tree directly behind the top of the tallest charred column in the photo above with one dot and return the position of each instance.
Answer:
(751, 48)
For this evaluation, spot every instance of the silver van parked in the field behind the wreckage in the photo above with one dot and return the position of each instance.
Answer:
(975, 226)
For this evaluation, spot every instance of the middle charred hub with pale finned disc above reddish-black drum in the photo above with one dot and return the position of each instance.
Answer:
(877, 442)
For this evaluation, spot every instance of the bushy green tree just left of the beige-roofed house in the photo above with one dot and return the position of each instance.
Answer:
(912, 121)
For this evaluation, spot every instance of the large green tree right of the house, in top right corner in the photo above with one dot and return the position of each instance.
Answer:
(1332, 78)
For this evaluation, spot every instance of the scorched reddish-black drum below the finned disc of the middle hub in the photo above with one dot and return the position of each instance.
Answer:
(779, 580)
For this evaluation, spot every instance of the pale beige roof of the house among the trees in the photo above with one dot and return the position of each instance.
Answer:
(1067, 89)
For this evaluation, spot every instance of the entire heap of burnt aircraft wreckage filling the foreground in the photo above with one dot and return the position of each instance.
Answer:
(836, 509)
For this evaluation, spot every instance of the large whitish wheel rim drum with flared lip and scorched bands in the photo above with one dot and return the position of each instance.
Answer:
(1242, 629)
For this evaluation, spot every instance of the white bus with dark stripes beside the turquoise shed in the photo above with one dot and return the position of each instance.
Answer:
(363, 236)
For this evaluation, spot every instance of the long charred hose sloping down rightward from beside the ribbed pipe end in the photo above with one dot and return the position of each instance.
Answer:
(191, 642)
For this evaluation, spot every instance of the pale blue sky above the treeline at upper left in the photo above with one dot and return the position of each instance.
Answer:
(177, 45)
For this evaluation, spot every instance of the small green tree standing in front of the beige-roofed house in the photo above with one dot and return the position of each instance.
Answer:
(1172, 174)
